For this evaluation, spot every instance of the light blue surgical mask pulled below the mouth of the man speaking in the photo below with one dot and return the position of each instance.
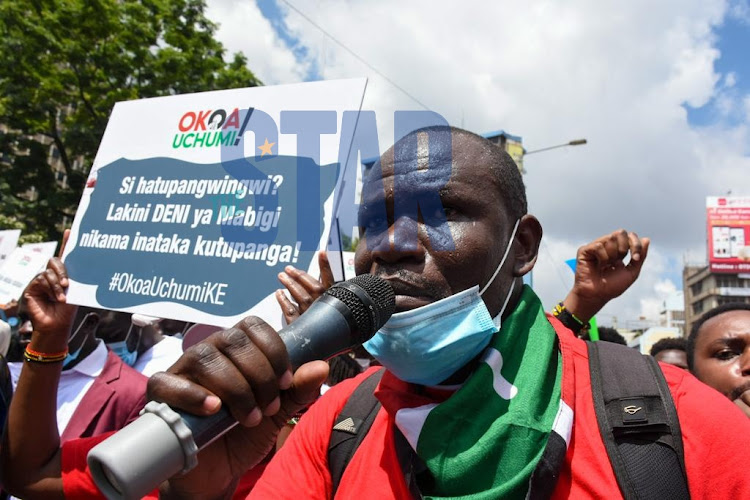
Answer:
(428, 344)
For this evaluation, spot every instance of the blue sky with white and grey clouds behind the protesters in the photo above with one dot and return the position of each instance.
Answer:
(661, 91)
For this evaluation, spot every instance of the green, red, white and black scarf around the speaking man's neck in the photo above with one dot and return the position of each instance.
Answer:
(486, 439)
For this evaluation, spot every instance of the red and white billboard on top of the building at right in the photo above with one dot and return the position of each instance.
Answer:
(728, 234)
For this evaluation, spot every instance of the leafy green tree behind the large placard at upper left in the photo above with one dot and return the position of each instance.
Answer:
(65, 63)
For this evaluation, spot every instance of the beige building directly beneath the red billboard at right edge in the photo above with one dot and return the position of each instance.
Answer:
(705, 290)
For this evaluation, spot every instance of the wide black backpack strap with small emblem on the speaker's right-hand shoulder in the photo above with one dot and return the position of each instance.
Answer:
(638, 423)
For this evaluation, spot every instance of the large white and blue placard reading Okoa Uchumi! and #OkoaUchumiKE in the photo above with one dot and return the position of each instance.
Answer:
(195, 203)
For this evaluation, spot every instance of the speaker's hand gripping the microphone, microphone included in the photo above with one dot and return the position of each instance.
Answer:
(248, 374)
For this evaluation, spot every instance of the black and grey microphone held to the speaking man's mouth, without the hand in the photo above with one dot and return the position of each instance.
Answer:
(163, 442)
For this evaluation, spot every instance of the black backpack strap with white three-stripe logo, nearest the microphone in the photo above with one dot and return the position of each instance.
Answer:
(351, 426)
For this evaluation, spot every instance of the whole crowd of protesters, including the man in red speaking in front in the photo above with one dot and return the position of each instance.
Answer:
(482, 394)
